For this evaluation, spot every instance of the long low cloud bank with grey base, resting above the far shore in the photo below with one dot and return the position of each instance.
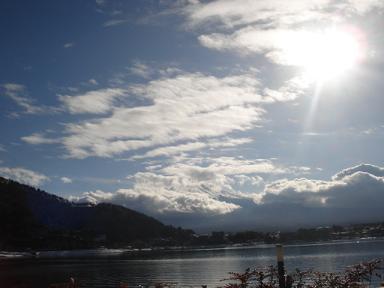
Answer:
(195, 190)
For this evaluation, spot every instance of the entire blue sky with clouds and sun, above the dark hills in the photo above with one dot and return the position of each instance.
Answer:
(211, 115)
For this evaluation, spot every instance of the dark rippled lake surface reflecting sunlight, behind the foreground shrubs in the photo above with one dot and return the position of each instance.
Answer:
(191, 268)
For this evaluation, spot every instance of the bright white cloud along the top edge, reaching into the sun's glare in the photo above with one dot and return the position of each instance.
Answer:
(277, 29)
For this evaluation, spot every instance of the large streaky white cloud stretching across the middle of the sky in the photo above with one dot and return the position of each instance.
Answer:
(184, 107)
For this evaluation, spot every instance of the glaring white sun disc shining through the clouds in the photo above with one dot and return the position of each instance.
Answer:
(324, 55)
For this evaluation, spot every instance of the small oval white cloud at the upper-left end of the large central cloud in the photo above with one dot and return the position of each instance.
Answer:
(94, 102)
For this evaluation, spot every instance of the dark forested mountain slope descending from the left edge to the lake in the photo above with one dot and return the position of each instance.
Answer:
(32, 218)
